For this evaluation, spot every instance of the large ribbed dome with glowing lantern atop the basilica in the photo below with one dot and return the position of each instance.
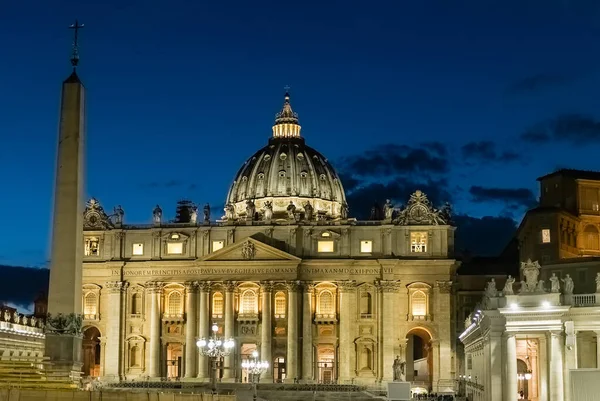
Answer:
(287, 172)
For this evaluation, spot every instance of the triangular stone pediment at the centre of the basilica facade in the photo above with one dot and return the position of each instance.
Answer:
(249, 249)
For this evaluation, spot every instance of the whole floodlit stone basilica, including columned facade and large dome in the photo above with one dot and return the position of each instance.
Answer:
(284, 270)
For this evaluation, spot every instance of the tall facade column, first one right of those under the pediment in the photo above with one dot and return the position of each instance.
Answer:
(347, 304)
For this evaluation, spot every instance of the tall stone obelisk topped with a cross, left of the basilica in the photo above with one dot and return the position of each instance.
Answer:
(63, 326)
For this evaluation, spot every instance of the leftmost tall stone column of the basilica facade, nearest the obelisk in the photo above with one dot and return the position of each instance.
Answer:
(113, 329)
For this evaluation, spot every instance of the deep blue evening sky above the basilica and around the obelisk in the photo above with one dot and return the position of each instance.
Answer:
(478, 98)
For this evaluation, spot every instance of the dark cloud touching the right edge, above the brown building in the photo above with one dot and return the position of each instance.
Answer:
(576, 129)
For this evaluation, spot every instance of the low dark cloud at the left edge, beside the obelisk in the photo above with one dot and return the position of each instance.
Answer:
(21, 285)
